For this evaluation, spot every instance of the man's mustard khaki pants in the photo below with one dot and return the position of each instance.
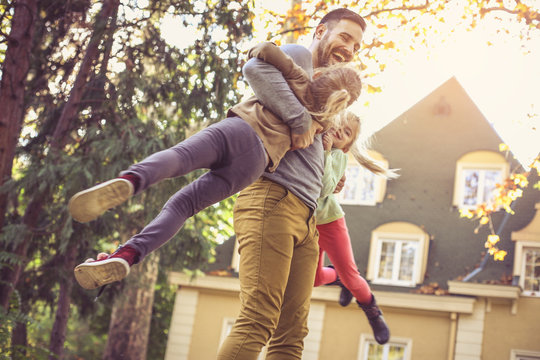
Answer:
(278, 250)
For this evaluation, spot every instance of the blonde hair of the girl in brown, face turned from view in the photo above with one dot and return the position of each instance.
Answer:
(332, 90)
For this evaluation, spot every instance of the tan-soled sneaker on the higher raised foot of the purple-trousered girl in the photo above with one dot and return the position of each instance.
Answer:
(87, 205)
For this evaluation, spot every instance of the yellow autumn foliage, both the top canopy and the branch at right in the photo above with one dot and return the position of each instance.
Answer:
(419, 19)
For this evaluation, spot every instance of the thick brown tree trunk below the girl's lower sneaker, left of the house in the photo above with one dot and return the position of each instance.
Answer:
(132, 311)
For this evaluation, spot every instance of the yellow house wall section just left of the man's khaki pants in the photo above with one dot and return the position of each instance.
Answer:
(212, 308)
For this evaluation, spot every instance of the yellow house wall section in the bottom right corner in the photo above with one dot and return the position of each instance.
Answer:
(504, 331)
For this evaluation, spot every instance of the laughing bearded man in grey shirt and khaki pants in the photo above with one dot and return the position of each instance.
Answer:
(273, 218)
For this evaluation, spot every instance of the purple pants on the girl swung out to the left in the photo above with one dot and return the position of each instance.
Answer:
(232, 151)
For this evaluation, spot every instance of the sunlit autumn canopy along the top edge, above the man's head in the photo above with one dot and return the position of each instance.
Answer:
(396, 27)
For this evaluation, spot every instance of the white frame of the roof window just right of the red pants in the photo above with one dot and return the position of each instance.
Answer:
(378, 238)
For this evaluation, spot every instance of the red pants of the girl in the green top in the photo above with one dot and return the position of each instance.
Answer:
(335, 241)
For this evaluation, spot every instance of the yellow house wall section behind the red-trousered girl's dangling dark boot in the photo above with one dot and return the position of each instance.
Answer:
(429, 332)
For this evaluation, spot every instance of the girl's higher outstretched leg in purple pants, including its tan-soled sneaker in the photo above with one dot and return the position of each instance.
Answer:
(208, 149)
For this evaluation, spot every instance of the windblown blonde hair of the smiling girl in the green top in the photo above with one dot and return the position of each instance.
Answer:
(359, 148)
